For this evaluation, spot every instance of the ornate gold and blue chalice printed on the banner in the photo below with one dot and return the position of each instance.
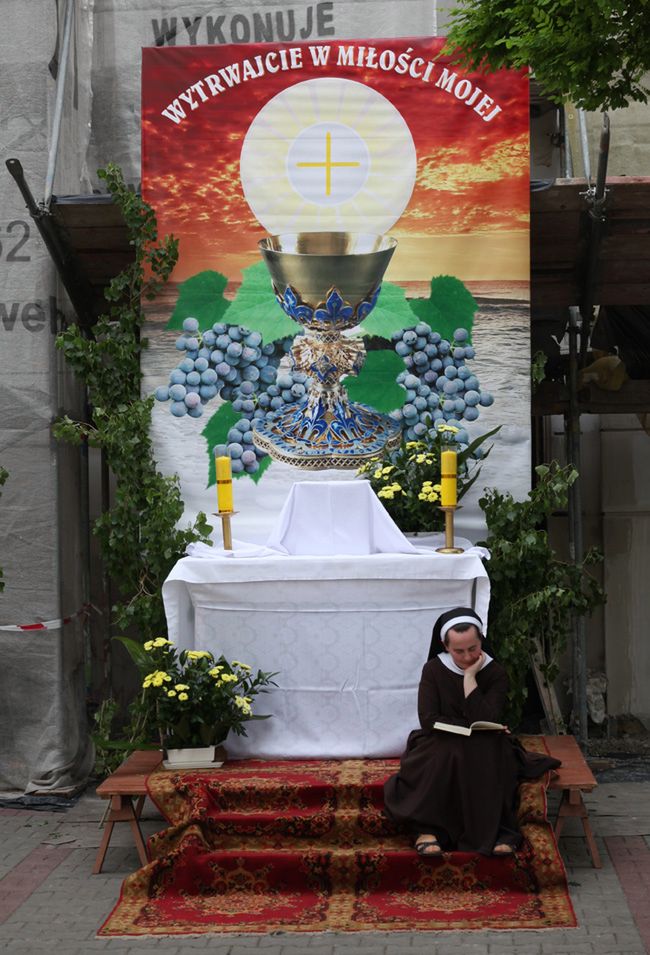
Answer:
(327, 282)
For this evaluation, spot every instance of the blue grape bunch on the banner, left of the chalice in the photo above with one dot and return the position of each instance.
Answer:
(230, 361)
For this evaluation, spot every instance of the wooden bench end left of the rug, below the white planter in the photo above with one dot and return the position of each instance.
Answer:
(127, 783)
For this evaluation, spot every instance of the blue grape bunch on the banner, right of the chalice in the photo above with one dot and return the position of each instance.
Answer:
(440, 388)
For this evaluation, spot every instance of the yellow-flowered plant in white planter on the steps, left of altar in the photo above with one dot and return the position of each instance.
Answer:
(193, 699)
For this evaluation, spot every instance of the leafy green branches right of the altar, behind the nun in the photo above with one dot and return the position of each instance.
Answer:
(534, 594)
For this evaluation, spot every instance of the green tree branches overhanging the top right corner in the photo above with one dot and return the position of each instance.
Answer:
(593, 53)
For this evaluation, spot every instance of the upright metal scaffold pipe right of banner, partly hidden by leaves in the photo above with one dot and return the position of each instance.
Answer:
(576, 541)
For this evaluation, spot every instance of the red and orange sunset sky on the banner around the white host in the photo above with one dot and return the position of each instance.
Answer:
(472, 180)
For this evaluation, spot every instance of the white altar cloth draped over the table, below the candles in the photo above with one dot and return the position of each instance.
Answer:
(348, 634)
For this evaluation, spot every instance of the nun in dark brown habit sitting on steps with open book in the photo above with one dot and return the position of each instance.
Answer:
(452, 791)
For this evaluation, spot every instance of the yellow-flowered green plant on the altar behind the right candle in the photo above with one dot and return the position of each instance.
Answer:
(407, 481)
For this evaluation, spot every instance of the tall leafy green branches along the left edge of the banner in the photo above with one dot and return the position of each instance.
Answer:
(139, 537)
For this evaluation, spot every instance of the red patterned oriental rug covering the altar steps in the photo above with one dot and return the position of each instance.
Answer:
(303, 846)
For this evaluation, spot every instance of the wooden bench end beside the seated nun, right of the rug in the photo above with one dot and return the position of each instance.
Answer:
(573, 778)
